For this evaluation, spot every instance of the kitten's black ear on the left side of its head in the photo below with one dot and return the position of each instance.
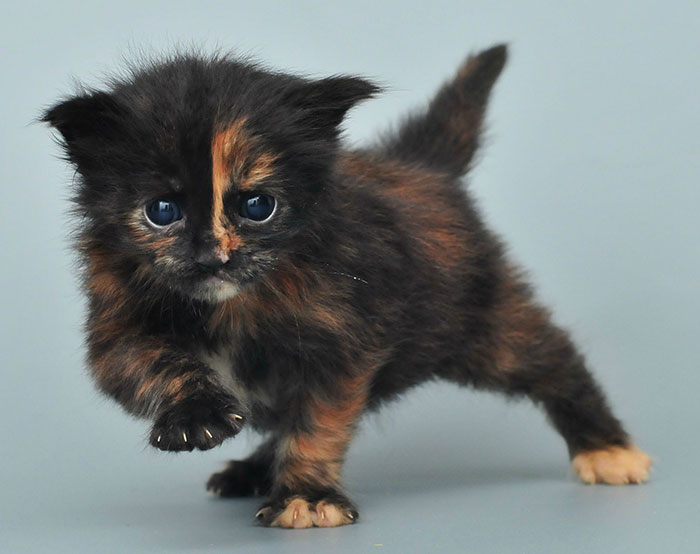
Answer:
(88, 116)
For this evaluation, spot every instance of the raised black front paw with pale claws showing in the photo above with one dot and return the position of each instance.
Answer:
(202, 422)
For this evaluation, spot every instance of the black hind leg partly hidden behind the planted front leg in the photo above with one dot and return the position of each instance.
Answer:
(249, 477)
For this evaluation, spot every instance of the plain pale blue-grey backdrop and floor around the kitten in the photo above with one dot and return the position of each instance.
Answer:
(591, 174)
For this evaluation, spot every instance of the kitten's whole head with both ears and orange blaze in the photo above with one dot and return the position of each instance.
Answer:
(200, 175)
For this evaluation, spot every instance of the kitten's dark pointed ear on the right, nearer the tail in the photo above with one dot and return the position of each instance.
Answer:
(322, 105)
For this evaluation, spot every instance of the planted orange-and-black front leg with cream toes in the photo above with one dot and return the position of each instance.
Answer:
(306, 488)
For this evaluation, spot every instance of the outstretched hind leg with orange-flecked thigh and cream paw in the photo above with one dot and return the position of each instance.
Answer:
(525, 354)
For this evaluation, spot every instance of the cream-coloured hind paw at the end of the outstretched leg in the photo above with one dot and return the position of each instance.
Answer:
(614, 465)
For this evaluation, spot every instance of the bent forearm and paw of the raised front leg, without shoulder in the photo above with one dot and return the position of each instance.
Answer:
(152, 378)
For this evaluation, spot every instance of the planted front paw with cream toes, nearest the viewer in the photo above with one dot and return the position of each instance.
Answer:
(298, 512)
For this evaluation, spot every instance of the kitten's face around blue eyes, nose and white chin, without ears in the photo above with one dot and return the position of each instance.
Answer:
(210, 220)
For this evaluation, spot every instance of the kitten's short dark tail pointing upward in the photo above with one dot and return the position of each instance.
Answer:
(446, 135)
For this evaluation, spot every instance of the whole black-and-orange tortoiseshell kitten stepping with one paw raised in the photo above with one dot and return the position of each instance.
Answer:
(242, 267)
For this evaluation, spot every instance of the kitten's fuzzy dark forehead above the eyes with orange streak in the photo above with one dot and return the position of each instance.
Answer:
(198, 123)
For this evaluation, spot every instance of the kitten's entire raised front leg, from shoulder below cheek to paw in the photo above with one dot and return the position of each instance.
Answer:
(148, 370)
